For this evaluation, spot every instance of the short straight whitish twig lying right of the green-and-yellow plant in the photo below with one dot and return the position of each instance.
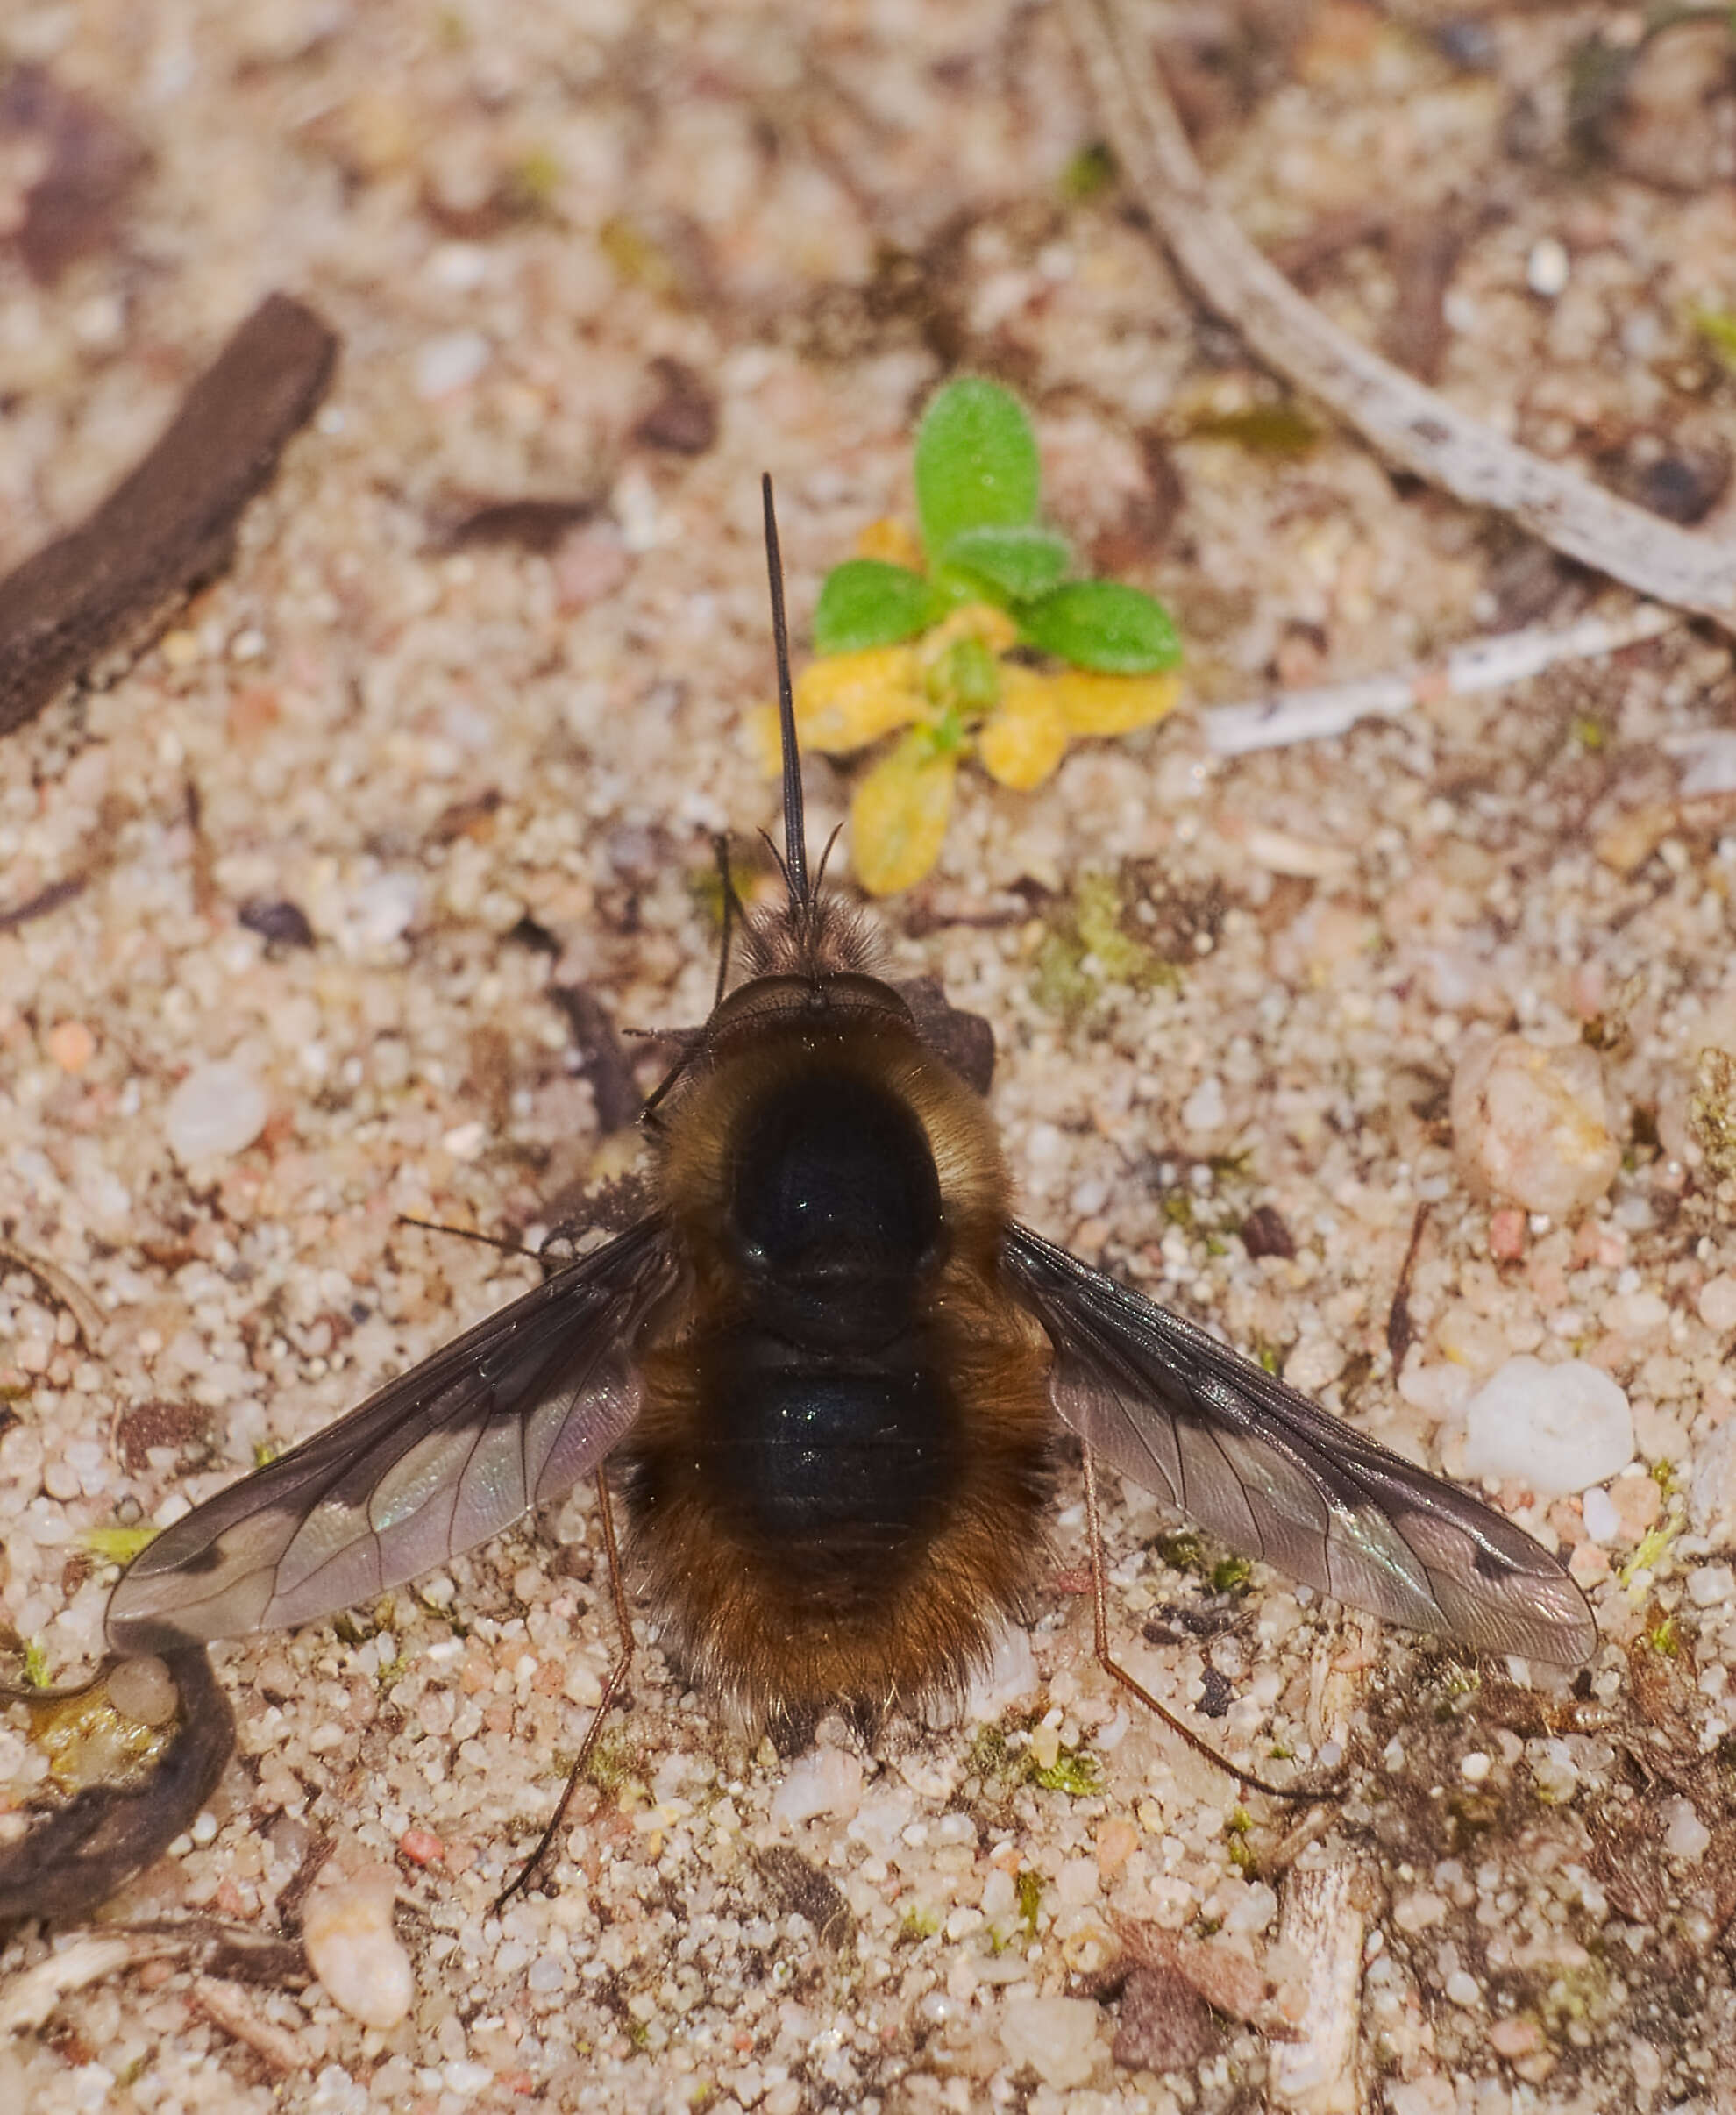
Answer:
(1310, 716)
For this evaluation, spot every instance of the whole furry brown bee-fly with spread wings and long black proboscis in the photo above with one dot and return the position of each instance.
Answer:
(828, 1372)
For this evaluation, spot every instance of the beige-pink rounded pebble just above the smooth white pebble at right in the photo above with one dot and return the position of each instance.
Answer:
(1532, 1124)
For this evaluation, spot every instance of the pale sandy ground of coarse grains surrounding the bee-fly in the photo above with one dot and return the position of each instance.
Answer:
(485, 771)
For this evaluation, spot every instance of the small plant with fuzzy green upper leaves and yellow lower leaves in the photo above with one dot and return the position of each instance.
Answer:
(969, 640)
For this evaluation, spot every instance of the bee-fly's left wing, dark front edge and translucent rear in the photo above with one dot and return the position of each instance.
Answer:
(445, 1456)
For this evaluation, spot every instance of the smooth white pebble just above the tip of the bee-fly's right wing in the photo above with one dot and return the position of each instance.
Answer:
(1553, 1429)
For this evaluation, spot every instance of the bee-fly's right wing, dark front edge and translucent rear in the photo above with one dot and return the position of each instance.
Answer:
(1276, 1477)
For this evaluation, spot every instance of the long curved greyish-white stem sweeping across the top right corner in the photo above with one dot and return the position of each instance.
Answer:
(1401, 418)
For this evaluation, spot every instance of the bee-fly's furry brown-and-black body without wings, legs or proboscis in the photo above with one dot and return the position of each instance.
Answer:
(838, 1475)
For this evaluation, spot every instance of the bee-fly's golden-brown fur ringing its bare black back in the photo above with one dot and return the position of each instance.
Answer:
(790, 1630)
